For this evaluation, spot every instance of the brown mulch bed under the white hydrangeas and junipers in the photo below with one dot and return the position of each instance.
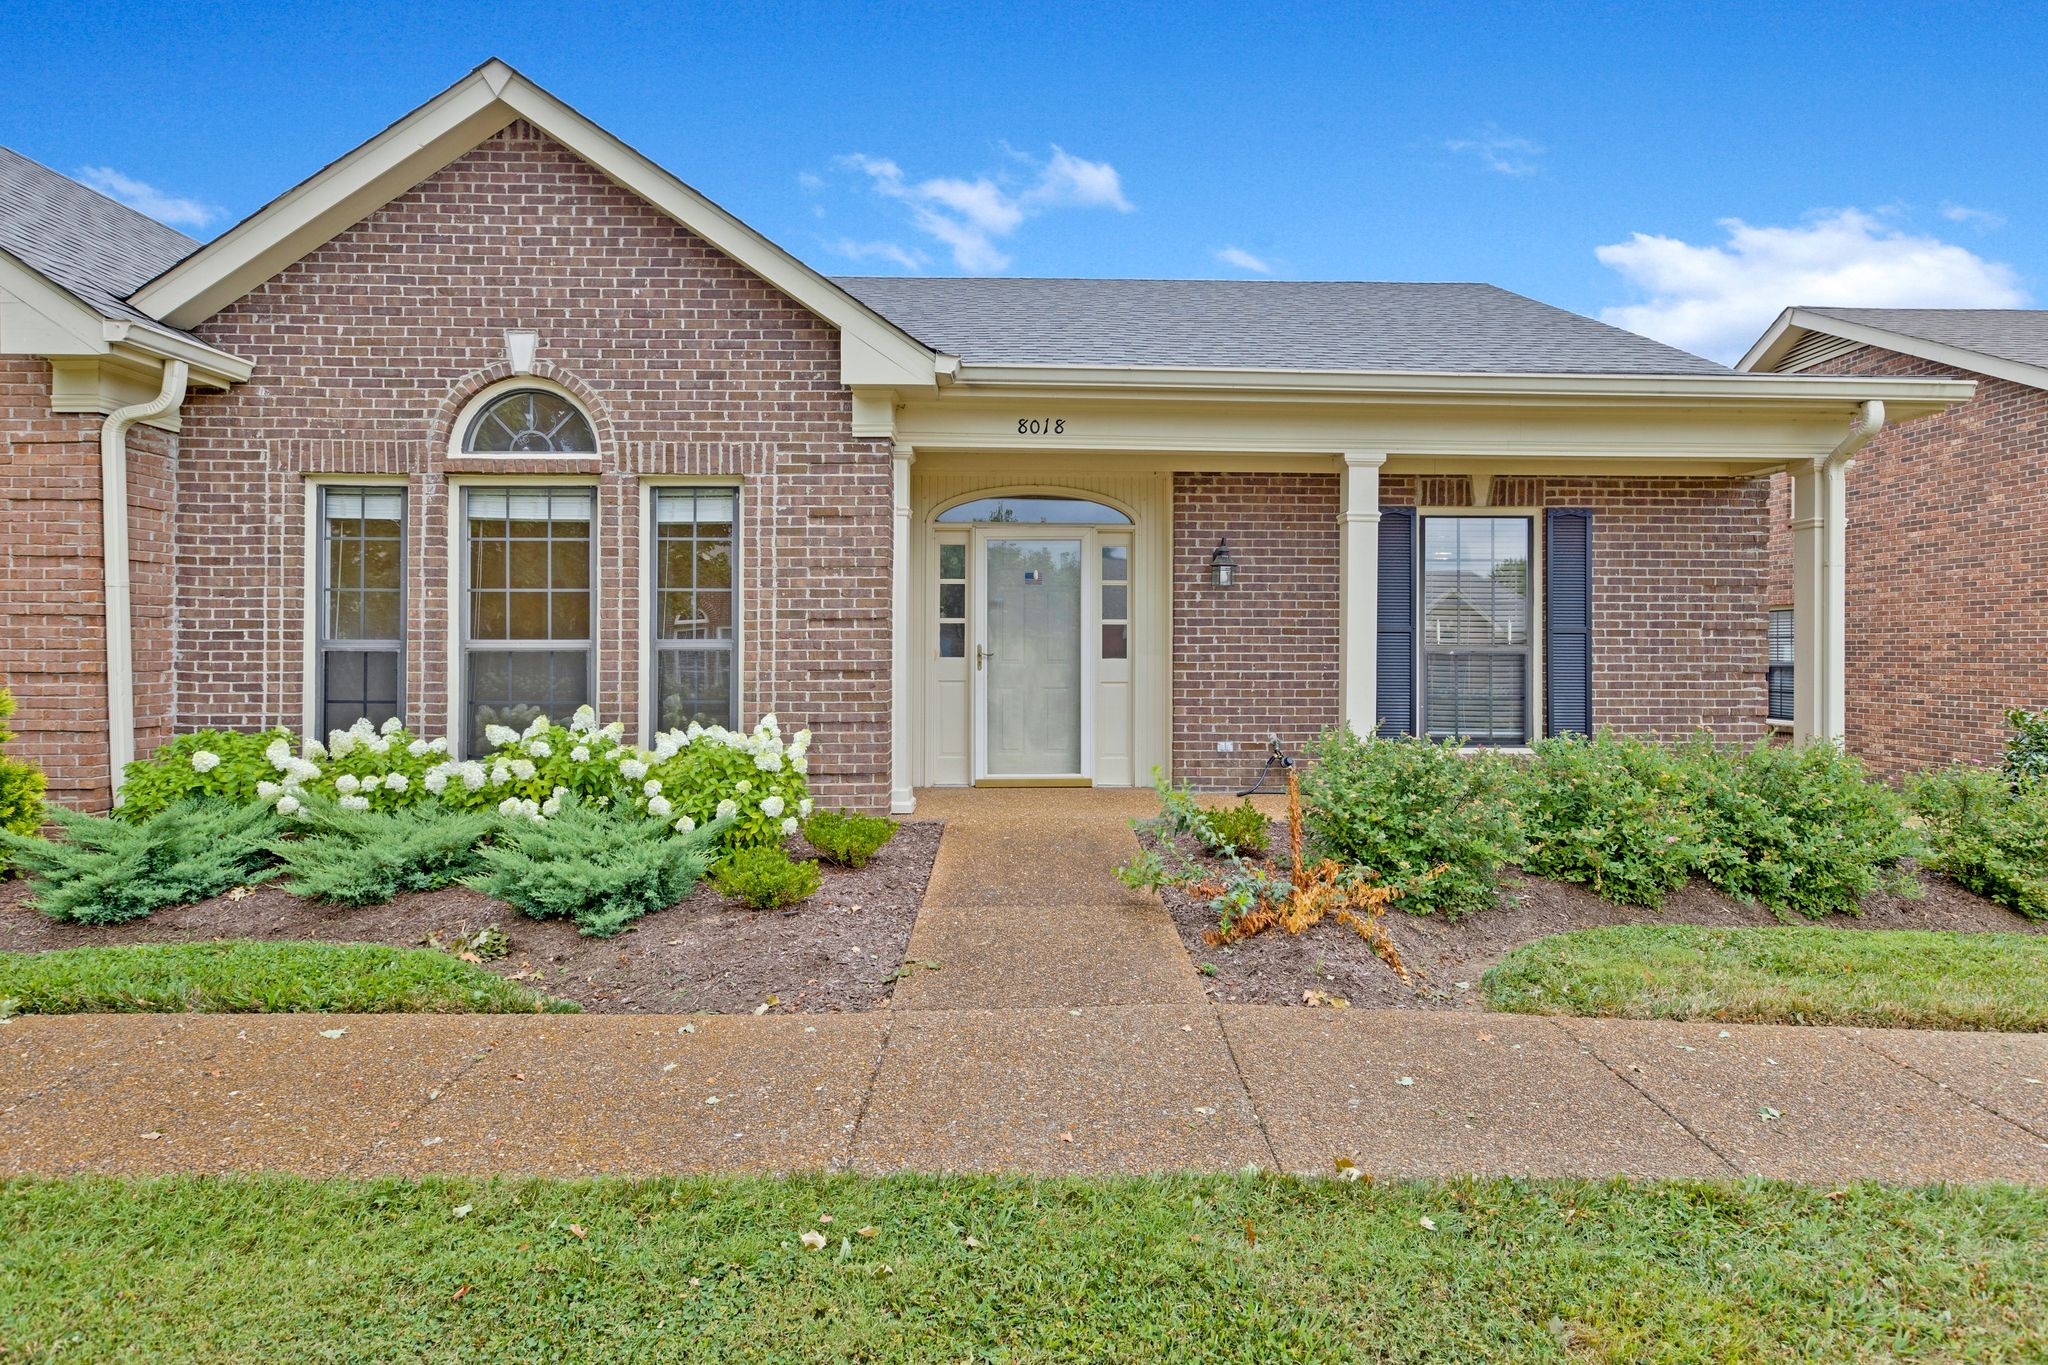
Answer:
(835, 953)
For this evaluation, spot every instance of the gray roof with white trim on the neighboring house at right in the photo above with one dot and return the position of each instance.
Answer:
(2004, 343)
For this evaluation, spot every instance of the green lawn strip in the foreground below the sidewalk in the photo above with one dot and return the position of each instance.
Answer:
(1158, 1270)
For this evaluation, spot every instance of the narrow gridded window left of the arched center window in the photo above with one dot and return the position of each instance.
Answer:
(361, 607)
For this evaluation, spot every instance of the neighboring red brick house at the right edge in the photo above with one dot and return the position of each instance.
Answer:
(1947, 541)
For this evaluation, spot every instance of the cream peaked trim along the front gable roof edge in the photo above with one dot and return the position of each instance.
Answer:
(458, 120)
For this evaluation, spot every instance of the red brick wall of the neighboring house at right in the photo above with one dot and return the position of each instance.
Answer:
(1947, 572)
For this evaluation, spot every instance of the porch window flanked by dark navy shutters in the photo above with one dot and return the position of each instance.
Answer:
(1476, 629)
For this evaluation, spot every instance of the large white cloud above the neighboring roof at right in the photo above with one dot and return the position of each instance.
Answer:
(1717, 300)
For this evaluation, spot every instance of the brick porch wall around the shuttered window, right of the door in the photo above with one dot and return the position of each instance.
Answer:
(1678, 607)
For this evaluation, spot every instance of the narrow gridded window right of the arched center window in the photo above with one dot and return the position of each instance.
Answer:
(695, 609)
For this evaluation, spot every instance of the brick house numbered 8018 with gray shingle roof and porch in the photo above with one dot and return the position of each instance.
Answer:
(495, 416)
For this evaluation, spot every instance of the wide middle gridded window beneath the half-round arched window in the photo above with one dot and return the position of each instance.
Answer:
(527, 611)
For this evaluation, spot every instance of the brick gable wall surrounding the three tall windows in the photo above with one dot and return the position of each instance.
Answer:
(368, 349)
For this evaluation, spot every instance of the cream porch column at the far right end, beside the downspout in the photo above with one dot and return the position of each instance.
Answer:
(1820, 601)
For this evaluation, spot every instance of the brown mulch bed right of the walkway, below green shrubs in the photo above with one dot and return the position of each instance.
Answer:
(1449, 957)
